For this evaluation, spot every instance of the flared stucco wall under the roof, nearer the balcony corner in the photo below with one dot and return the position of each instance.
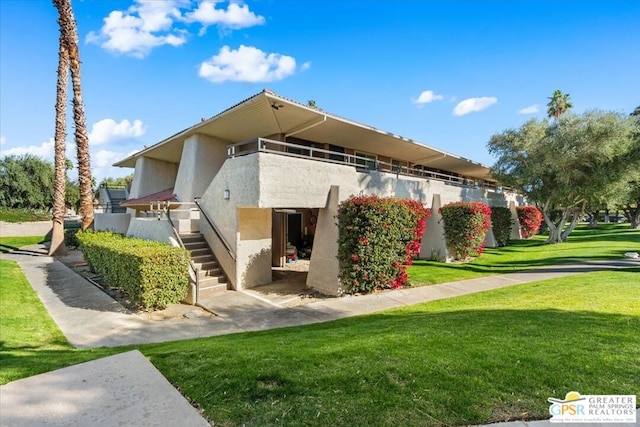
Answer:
(202, 158)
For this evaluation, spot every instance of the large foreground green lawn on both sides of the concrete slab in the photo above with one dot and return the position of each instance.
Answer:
(481, 358)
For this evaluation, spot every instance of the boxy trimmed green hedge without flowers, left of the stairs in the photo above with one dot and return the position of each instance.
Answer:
(152, 274)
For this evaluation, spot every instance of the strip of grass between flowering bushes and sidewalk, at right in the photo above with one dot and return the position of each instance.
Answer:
(609, 241)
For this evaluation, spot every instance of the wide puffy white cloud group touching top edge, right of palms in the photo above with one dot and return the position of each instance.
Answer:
(152, 23)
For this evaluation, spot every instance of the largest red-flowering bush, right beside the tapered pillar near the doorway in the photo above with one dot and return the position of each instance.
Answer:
(378, 239)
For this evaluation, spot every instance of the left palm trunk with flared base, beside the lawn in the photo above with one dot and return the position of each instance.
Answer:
(60, 181)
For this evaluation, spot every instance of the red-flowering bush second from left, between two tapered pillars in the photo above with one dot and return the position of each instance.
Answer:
(465, 227)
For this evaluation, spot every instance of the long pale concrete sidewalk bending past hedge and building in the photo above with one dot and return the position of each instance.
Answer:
(90, 318)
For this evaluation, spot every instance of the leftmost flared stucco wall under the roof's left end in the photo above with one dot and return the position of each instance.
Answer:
(151, 176)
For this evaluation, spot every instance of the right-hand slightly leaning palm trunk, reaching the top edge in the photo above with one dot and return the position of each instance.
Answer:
(69, 32)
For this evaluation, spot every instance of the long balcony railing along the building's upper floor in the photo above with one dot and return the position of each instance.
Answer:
(361, 163)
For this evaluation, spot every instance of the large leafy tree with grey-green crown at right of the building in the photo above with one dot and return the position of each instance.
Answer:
(562, 163)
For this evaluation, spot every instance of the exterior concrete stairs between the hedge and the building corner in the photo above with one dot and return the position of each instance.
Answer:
(211, 279)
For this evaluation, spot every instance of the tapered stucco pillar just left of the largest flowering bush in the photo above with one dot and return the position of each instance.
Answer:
(323, 268)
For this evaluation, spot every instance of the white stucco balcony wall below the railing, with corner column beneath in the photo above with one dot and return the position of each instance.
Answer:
(265, 181)
